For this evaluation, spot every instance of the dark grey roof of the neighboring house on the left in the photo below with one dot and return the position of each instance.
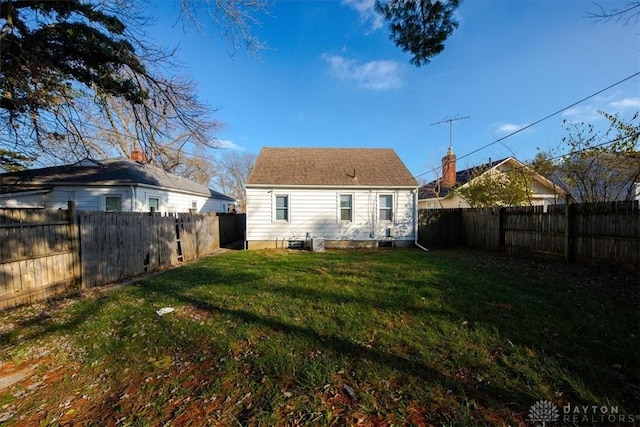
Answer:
(89, 172)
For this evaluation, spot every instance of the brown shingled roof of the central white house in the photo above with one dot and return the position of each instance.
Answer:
(344, 167)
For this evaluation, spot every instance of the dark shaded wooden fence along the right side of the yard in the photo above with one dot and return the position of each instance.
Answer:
(594, 232)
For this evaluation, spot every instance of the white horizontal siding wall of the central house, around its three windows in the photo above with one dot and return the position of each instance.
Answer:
(316, 211)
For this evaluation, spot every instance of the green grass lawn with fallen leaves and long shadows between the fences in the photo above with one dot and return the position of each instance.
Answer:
(369, 337)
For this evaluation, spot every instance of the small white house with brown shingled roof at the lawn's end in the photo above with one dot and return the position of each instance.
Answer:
(351, 197)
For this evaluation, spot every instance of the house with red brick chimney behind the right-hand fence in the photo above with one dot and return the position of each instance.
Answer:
(439, 194)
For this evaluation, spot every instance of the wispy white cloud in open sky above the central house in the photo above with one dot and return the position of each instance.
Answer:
(376, 75)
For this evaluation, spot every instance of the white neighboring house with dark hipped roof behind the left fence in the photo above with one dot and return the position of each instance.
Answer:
(109, 185)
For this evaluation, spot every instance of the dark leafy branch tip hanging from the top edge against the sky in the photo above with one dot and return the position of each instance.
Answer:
(419, 27)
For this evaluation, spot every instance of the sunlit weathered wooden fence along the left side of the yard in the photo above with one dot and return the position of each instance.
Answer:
(45, 252)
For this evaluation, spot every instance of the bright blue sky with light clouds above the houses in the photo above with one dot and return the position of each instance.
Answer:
(330, 77)
